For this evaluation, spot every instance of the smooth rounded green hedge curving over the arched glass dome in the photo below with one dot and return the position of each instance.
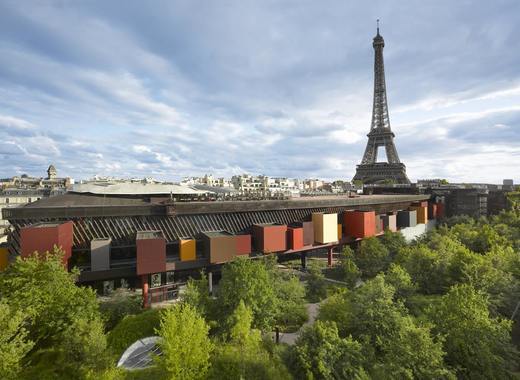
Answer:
(132, 328)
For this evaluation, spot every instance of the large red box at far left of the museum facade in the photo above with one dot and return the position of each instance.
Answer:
(42, 237)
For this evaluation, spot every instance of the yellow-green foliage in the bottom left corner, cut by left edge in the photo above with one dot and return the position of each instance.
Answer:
(13, 341)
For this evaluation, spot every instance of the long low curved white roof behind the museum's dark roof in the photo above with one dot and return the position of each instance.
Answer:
(134, 188)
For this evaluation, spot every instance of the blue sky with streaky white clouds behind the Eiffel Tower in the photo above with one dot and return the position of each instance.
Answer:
(169, 89)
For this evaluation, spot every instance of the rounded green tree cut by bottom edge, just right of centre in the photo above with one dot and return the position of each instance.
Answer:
(319, 353)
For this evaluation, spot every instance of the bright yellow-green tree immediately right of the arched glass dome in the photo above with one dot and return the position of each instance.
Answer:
(185, 344)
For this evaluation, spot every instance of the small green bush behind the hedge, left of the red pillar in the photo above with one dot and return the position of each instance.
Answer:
(119, 304)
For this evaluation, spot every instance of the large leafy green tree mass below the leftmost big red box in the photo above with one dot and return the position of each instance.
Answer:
(60, 318)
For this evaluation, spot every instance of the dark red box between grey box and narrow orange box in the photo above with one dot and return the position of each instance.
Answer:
(151, 252)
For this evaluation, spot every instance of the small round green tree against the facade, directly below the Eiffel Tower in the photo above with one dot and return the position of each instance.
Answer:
(372, 257)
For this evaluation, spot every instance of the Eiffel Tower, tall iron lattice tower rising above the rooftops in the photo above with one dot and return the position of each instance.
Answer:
(370, 171)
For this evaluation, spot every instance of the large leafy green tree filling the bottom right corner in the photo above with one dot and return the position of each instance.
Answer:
(477, 346)
